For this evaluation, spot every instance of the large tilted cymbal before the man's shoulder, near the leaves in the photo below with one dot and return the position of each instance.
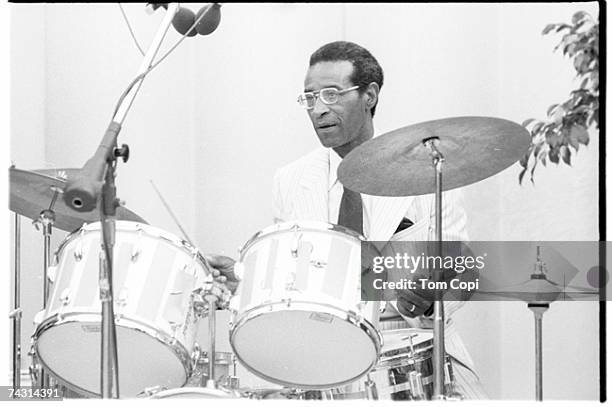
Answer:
(397, 163)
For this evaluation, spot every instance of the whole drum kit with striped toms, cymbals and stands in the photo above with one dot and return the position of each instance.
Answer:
(297, 317)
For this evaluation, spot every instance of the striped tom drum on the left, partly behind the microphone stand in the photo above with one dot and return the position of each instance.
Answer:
(154, 276)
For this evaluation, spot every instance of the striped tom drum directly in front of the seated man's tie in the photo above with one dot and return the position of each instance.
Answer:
(298, 319)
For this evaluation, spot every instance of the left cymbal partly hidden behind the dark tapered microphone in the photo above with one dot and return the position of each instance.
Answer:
(31, 192)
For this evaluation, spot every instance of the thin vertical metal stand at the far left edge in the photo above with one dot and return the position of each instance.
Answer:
(16, 313)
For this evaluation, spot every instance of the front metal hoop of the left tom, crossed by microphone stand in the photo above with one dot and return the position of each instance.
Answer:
(175, 346)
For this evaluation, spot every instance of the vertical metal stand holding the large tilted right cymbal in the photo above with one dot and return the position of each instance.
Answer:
(438, 323)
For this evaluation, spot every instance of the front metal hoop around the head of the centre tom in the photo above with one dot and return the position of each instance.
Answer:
(352, 318)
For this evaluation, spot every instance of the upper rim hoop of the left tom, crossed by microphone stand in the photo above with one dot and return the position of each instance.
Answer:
(149, 230)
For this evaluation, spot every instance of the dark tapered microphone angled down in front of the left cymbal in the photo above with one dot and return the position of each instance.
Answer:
(82, 191)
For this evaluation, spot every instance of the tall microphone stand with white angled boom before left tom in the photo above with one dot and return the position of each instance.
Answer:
(109, 373)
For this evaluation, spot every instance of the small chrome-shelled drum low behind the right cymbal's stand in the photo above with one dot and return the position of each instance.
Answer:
(405, 369)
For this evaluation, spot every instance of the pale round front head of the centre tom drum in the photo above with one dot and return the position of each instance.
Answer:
(308, 349)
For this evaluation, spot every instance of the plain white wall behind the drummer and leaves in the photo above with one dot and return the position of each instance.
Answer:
(215, 119)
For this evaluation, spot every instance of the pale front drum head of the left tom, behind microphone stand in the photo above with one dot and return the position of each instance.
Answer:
(71, 351)
